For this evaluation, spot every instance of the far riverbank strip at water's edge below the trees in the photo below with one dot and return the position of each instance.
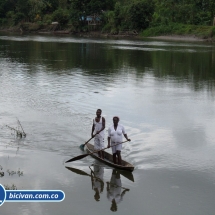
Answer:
(206, 33)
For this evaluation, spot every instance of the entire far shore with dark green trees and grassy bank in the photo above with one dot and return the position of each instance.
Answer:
(143, 18)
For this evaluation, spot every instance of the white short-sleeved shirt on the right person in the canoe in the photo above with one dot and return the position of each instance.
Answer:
(116, 135)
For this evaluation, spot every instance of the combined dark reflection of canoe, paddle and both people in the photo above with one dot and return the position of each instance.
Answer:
(114, 188)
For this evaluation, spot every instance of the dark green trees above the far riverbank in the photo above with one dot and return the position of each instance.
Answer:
(115, 15)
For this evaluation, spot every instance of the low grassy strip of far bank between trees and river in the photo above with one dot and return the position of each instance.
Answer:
(172, 29)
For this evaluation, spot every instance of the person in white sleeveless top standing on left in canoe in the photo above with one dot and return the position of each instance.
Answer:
(98, 132)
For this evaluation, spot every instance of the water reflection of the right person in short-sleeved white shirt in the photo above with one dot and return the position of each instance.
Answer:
(114, 190)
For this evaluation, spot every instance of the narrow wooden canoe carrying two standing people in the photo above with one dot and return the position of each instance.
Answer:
(109, 159)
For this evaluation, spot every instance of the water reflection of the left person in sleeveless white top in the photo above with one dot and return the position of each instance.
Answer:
(97, 181)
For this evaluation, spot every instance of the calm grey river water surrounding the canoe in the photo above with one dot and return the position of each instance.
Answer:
(164, 93)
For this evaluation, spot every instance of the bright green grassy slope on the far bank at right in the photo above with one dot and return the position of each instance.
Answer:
(203, 32)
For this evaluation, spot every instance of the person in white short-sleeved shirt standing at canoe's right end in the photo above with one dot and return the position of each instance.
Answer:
(115, 133)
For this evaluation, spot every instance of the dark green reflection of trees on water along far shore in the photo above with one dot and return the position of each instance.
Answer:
(192, 63)
